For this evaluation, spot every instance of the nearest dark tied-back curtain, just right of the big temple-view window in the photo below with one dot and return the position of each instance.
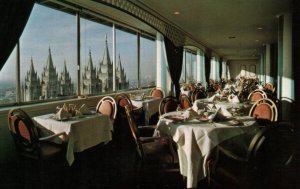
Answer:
(174, 57)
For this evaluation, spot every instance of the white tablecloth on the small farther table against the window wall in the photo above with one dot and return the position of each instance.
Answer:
(150, 106)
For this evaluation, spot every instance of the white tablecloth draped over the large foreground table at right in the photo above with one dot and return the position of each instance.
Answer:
(196, 139)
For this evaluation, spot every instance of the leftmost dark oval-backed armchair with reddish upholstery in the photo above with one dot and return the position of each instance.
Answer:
(31, 145)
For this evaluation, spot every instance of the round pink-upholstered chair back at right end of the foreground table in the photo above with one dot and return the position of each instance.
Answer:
(264, 109)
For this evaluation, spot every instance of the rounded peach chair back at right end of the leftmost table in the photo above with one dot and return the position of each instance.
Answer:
(107, 106)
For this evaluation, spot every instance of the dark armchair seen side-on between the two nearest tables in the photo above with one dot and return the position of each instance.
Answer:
(157, 150)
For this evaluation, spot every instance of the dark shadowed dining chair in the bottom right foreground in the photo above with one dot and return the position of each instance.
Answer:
(253, 160)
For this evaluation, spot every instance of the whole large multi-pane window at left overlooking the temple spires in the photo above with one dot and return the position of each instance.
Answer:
(49, 58)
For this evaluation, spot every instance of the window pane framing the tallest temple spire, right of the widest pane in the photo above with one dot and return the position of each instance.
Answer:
(96, 57)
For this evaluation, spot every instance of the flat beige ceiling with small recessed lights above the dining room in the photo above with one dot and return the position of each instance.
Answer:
(231, 29)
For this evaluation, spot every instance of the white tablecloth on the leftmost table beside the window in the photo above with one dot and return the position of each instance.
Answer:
(83, 132)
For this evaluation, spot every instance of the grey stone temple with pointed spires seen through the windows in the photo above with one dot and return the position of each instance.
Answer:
(94, 81)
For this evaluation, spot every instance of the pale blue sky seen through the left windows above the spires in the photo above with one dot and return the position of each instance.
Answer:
(49, 28)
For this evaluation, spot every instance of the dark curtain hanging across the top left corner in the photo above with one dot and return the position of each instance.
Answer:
(13, 18)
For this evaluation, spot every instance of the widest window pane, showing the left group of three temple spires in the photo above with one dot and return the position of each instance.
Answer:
(48, 55)
